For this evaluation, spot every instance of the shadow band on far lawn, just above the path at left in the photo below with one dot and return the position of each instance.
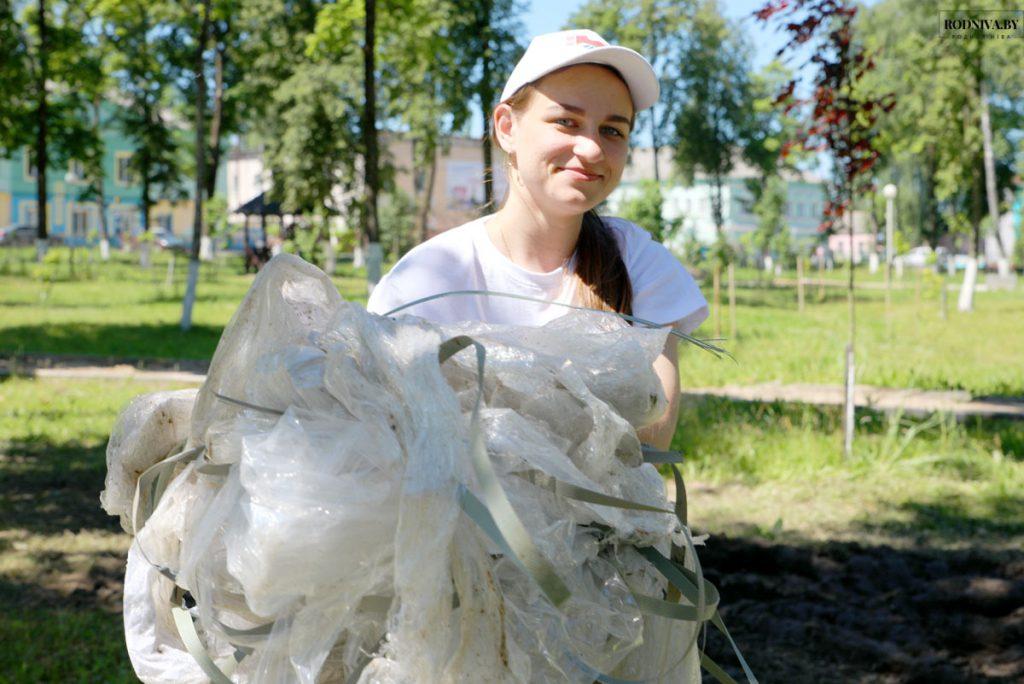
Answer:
(147, 341)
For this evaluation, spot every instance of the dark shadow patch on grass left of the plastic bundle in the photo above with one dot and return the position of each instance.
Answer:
(49, 490)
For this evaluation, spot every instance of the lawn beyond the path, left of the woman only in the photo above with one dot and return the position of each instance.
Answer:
(120, 310)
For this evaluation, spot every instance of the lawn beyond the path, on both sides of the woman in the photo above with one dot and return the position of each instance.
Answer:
(118, 310)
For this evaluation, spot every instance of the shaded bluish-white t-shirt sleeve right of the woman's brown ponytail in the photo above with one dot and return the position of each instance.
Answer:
(664, 292)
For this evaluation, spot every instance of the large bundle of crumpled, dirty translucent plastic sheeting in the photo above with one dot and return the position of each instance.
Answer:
(337, 524)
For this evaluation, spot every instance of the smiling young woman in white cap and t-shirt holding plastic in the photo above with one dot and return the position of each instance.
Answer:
(565, 121)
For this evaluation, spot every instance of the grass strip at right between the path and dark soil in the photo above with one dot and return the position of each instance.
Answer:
(778, 472)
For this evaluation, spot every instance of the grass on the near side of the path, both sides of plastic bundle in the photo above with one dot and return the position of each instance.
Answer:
(766, 472)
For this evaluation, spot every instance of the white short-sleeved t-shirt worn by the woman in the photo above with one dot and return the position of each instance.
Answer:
(465, 259)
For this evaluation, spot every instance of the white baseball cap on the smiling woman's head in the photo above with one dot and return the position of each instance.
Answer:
(551, 52)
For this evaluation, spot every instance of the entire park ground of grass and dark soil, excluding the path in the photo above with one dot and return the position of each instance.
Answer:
(901, 564)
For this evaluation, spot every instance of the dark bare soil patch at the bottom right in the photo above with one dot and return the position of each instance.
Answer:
(844, 612)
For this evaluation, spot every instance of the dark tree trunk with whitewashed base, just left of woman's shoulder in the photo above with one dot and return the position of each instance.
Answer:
(371, 173)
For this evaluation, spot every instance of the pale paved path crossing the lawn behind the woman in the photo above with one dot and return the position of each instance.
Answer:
(912, 402)
